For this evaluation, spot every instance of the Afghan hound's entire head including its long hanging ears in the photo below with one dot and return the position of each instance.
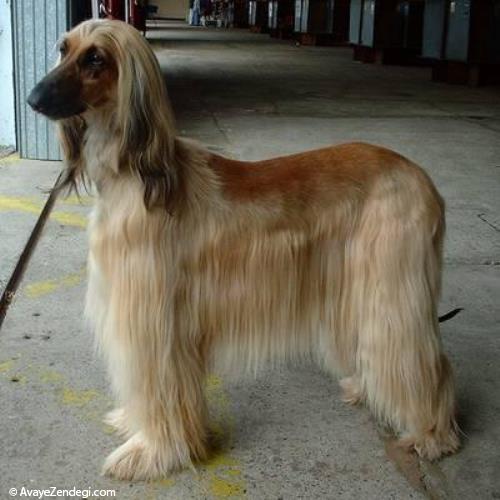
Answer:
(107, 74)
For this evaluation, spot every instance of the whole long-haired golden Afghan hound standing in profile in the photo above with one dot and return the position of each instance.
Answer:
(199, 262)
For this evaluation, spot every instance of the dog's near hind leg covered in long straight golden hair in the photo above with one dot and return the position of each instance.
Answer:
(404, 376)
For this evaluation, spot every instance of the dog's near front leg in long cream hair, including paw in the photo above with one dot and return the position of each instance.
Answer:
(157, 374)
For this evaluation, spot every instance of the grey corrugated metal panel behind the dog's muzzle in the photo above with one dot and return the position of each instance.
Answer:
(37, 26)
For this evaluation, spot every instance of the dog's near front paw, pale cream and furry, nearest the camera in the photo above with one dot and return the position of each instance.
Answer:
(134, 461)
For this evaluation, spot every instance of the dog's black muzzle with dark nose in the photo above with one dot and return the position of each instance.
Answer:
(57, 96)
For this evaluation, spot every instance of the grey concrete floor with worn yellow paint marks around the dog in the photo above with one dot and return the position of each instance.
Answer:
(286, 435)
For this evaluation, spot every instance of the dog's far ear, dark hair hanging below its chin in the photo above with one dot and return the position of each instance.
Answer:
(71, 132)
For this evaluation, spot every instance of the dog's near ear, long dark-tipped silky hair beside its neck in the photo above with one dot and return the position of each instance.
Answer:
(146, 123)
